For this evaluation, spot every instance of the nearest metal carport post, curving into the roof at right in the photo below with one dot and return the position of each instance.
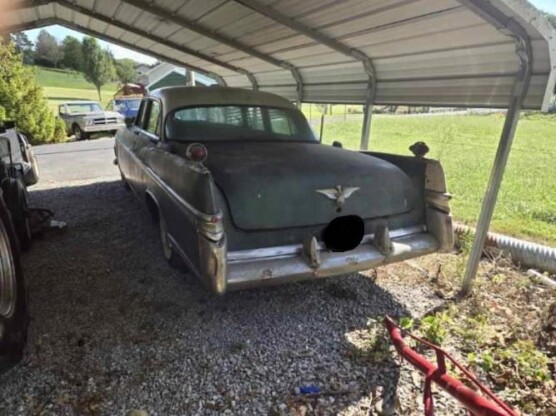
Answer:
(524, 53)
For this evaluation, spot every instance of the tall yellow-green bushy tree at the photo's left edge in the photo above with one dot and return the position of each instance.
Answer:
(21, 98)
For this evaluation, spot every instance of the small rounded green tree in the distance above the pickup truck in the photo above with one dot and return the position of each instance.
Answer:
(98, 68)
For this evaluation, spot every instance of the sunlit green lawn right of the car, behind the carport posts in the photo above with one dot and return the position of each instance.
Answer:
(466, 146)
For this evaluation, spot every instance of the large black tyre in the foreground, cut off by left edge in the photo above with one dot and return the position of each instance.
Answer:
(14, 318)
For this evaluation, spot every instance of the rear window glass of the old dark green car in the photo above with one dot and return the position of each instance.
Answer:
(233, 122)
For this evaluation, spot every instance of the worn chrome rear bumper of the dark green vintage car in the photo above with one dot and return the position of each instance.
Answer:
(243, 269)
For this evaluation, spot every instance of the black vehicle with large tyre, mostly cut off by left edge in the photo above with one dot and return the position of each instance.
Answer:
(14, 218)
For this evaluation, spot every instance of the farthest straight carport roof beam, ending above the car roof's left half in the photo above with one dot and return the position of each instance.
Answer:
(142, 33)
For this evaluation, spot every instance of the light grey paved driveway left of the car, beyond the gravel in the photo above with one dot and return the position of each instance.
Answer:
(76, 160)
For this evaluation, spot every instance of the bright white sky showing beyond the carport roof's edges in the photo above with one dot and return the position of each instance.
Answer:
(60, 33)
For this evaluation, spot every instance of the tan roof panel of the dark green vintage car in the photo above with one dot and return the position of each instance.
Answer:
(176, 97)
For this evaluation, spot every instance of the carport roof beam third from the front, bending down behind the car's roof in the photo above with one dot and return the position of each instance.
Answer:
(212, 34)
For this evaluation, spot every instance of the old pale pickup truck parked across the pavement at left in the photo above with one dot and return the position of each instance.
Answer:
(85, 117)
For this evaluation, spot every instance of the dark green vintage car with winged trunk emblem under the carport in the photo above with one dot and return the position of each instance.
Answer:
(246, 195)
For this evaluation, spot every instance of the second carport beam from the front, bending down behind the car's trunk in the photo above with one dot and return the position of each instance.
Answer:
(333, 44)
